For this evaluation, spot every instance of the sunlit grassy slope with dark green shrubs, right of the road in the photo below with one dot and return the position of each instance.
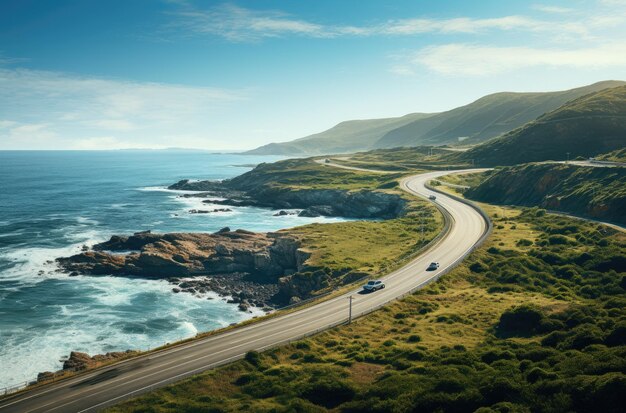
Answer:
(532, 321)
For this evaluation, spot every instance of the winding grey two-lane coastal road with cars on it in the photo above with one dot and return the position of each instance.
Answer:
(110, 385)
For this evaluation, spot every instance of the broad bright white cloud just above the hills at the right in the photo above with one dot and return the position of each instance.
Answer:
(480, 60)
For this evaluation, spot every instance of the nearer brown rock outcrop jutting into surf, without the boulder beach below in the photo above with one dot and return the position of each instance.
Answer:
(170, 255)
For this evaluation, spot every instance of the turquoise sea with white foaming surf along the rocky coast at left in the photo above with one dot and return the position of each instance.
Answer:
(52, 203)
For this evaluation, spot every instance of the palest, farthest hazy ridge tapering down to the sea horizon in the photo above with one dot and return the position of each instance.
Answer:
(348, 136)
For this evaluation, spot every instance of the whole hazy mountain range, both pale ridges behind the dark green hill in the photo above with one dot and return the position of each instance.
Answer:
(483, 119)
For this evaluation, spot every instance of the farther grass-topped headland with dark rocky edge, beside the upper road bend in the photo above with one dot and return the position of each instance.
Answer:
(303, 184)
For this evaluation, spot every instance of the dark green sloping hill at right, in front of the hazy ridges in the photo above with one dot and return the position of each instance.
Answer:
(587, 126)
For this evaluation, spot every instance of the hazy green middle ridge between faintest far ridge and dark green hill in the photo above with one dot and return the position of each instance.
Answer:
(485, 118)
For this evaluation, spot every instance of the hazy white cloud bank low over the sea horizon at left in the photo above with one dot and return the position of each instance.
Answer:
(41, 105)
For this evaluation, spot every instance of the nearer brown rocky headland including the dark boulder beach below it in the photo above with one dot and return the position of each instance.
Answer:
(246, 268)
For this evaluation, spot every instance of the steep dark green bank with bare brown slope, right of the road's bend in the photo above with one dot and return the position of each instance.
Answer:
(598, 193)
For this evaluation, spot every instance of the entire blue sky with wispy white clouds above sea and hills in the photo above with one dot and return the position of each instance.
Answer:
(235, 75)
